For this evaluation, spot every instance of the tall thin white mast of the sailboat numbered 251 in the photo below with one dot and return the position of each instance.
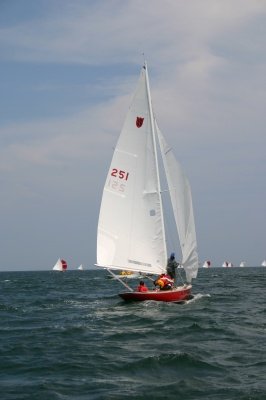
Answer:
(156, 156)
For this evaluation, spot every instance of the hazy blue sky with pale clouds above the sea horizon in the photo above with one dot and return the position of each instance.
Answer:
(68, 70)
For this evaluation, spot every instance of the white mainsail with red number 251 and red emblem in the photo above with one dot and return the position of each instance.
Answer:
(131, 228)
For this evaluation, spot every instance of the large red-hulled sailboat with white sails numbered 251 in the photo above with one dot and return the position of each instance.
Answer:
(131, 230)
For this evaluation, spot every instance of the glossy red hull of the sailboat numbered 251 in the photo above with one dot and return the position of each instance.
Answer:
(174, 295)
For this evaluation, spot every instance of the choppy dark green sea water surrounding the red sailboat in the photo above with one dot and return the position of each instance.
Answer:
(69, 336)
